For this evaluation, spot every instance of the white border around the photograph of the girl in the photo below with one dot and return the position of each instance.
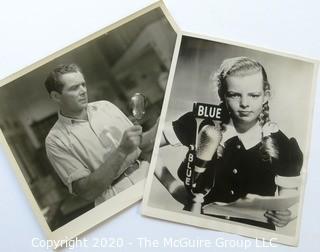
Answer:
(215, 223)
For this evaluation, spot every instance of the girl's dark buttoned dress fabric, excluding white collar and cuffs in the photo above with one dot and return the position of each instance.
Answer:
(240, 171)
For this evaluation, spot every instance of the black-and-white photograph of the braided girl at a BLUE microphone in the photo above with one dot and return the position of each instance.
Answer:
(233, 147)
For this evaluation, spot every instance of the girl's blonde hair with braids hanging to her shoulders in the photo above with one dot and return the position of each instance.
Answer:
(242, 66)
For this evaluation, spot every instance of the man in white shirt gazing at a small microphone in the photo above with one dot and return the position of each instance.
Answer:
(93, 147)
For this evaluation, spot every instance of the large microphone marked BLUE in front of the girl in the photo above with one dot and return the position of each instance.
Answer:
(208, 138)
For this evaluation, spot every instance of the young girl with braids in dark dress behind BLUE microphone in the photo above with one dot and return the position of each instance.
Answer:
(249, 154)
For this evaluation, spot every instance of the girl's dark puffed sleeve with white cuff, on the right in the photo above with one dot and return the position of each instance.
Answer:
(290, 162)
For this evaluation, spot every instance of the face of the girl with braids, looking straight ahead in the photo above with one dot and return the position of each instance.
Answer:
(245, 97)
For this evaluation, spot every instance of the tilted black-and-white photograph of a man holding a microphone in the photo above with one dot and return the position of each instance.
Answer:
(81, 126)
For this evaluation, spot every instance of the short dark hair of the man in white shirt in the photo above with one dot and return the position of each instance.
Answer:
(53, 81)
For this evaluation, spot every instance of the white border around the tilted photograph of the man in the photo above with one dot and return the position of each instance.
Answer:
(112, 206)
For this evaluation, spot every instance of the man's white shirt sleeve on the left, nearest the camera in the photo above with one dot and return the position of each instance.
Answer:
(67, 167)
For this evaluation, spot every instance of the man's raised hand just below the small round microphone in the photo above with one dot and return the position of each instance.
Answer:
(131, 139)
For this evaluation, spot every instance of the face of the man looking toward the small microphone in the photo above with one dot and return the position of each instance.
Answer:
(73, 98)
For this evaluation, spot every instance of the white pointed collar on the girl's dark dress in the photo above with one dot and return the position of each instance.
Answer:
(249, 138)
